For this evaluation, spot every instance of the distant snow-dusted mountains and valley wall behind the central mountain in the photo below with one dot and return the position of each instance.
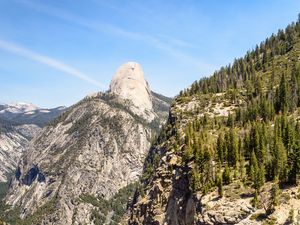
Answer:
(18, 124)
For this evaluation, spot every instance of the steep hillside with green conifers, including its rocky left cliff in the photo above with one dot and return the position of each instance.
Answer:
(233, 137)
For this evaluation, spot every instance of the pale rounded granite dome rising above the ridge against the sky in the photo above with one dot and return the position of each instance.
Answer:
(129, 84)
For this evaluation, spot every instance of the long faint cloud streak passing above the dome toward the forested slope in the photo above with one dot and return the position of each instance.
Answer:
(103, 27)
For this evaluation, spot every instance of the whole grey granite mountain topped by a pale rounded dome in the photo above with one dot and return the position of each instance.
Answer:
(86, 156)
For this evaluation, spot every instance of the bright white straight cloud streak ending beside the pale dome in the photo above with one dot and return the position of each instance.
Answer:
(51, 62)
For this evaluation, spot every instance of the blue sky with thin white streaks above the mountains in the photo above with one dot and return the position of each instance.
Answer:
(56, 52)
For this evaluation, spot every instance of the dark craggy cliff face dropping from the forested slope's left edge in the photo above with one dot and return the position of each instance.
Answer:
(165, 196)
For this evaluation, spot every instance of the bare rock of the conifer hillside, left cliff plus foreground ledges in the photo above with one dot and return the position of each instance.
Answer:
(165, 195)
